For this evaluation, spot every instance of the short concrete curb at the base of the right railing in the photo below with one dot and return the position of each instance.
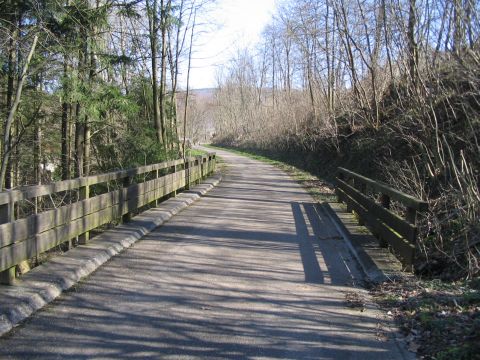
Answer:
(376, 262)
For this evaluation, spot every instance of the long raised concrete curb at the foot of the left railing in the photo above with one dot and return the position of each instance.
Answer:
(43, 284)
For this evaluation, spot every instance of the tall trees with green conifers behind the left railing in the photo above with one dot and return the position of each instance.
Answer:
(90, 86)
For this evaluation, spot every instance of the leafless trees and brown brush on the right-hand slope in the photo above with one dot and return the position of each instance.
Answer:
(388, 88)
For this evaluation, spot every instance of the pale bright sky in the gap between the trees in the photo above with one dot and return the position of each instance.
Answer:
(230, 25)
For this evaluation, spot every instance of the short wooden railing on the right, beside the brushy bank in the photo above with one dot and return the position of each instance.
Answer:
(371, 201)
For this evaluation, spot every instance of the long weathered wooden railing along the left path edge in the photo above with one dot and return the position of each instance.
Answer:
(85, 204)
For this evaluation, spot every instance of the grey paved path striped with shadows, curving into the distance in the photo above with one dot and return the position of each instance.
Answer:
(251, 271)
